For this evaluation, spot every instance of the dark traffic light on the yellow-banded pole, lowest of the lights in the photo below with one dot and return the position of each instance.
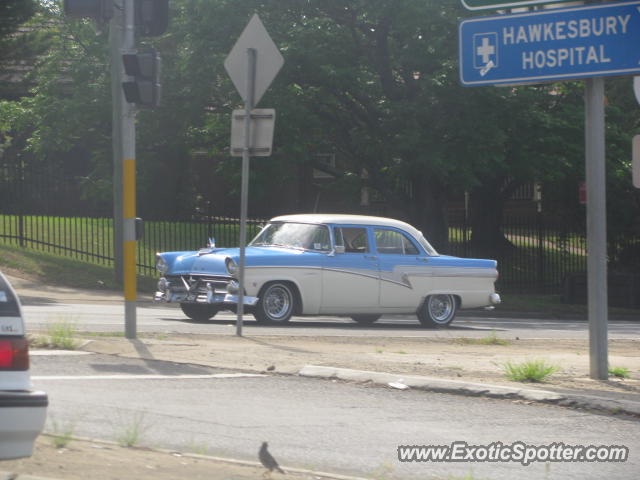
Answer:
(144, 89)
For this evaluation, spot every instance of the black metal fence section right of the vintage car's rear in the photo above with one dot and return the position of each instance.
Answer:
(547, 254)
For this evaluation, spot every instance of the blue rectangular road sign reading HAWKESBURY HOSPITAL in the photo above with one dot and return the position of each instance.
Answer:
(551, 45)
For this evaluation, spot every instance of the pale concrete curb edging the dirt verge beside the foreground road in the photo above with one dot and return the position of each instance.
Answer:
(475, 389)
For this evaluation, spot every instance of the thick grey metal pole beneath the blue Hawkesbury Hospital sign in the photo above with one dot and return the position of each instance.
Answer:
(596, 227)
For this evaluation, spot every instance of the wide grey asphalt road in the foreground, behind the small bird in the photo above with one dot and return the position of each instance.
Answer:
(310, 423)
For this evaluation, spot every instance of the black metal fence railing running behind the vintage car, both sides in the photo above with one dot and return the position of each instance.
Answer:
(541, 256)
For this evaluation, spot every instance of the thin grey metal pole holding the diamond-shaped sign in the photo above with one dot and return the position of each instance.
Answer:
(244, 195)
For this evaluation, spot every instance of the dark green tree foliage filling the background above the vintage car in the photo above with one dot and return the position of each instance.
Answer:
(373, 82)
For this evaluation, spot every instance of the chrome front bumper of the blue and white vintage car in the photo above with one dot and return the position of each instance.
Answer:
(204, 292)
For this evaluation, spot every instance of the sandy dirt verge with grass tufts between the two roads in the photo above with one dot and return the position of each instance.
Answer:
(456, 359)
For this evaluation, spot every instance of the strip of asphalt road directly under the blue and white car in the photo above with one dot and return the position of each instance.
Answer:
(169, 318)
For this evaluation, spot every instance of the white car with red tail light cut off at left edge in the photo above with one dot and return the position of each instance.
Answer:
(22, 410)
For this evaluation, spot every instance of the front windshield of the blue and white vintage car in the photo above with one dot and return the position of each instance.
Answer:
(294, 235)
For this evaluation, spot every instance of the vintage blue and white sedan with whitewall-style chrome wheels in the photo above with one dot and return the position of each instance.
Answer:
(323, 264)
